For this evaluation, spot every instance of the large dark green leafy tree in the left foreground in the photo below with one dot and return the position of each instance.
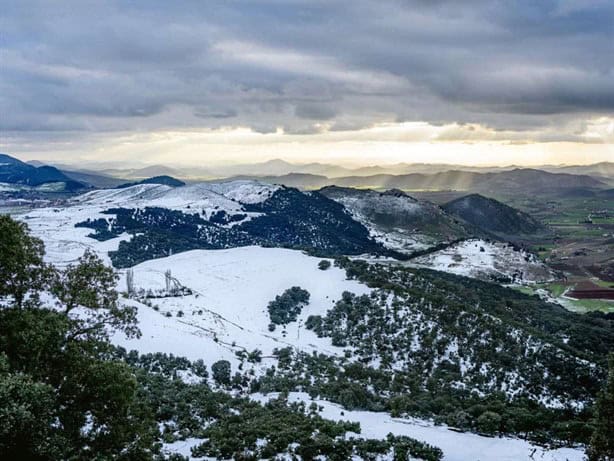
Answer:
(61, 394)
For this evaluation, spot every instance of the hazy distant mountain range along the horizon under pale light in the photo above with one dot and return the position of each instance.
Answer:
(567, 180)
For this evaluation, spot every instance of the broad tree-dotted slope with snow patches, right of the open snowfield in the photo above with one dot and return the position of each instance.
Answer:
(473, 355)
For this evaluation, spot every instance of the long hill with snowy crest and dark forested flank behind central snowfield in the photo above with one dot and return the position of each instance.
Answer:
(148, 221)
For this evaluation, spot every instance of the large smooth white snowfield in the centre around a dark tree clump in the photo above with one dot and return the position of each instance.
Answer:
(232, 288)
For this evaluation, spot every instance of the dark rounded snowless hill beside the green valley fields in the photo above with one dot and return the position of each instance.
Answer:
(493, 216)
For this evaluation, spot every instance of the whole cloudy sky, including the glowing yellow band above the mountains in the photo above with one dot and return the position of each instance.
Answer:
(354, 82)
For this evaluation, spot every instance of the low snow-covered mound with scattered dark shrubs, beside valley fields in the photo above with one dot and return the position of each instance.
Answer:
(488, 261)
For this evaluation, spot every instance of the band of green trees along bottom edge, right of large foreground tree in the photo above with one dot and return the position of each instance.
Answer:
(233, 427)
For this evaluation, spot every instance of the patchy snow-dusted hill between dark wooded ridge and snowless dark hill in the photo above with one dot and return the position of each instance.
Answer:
(398, 220)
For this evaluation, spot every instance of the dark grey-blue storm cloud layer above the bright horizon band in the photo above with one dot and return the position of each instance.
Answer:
(108, 66)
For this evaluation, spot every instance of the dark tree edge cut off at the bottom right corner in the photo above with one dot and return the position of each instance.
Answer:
(601, 447)
